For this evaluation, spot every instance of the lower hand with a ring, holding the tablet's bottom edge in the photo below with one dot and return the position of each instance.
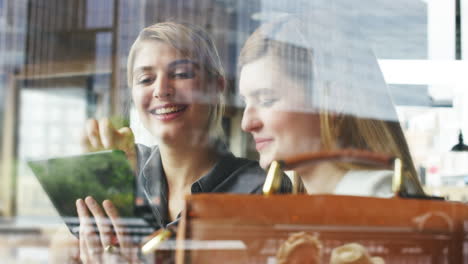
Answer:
(110, 244)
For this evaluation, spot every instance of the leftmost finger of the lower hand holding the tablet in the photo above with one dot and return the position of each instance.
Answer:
(89, 244)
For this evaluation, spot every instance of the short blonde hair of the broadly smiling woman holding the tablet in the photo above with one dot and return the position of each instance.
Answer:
(194, 43)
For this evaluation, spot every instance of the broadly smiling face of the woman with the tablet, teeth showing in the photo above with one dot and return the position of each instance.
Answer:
(166, 91)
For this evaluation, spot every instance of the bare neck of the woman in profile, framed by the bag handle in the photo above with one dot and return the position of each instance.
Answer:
(321, 178)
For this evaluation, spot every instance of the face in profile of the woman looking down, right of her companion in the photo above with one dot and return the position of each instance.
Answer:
(276, 112)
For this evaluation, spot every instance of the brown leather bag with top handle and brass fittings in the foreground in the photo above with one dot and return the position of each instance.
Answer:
(230, 228)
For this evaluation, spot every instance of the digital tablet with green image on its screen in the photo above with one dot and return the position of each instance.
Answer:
(104, 175)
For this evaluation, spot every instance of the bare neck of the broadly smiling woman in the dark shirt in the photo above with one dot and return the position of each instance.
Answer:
(184, 165)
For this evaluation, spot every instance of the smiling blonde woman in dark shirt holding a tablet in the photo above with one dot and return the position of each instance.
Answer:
(176, 82)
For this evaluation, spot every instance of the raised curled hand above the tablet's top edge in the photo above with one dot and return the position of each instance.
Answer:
(102, 135)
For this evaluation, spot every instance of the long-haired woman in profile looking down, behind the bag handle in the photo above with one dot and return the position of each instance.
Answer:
(310, 84)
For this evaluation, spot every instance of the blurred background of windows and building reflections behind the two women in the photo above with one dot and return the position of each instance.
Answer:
(63, 61)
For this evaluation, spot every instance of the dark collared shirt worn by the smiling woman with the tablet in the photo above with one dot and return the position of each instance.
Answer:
(230, 174)
